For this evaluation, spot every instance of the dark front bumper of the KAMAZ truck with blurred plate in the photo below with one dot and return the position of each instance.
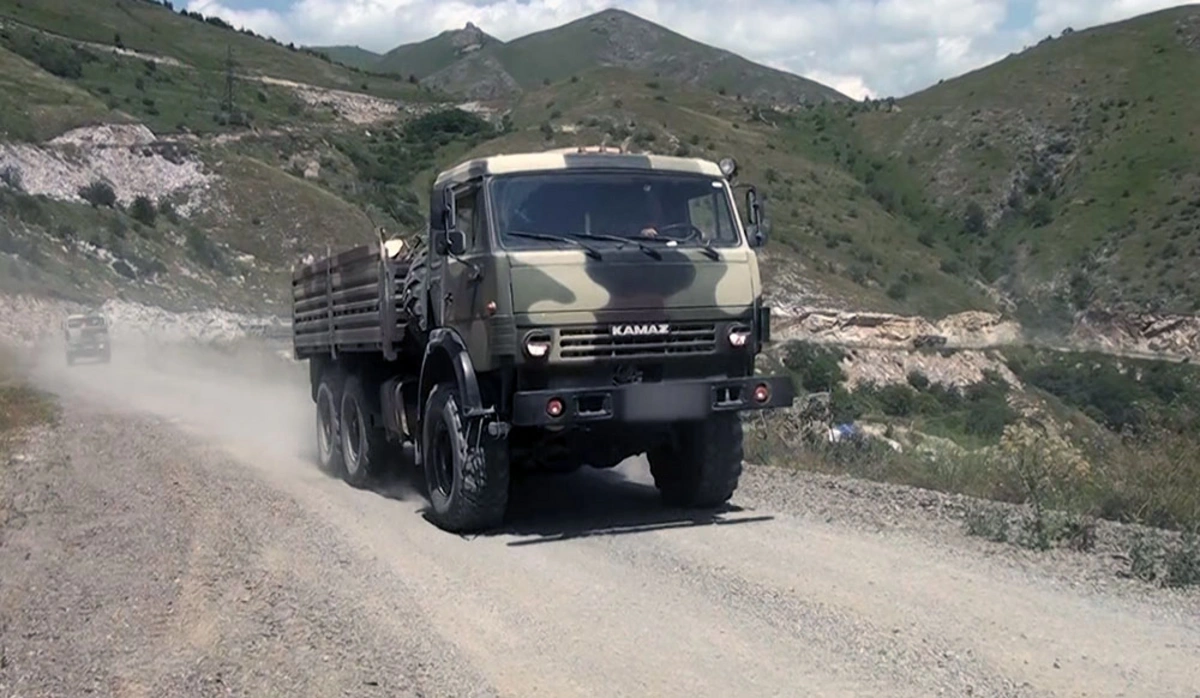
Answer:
(651, 402)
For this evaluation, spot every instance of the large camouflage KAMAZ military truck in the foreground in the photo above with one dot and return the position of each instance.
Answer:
(563, 309)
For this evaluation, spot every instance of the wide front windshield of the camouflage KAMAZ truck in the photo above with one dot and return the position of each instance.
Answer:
(688, 209)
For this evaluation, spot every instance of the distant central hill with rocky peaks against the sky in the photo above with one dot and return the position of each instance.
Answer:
(471, 63)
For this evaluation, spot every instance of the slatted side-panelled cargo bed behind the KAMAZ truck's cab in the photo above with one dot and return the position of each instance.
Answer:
(349, 303)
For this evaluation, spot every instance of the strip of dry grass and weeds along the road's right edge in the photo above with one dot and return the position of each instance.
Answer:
(1053, 492)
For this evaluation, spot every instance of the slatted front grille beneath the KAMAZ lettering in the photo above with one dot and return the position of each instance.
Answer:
(598, 342)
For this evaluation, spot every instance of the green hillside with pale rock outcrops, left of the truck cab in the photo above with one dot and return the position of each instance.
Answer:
(124, 172)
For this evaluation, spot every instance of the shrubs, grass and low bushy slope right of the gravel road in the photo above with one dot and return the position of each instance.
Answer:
(1083, 438)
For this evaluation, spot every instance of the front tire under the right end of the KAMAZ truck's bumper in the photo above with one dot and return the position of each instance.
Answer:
(700, 467)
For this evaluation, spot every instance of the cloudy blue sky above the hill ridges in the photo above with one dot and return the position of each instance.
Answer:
(865, 49)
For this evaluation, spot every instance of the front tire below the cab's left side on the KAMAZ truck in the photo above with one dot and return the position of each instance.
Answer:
(477, 472)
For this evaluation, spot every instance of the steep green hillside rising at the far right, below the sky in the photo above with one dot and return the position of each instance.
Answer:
(1067, 174)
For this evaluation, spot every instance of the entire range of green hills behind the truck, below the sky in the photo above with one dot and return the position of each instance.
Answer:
(873, 206)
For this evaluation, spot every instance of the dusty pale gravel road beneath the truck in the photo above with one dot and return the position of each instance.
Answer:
(172, 538)
